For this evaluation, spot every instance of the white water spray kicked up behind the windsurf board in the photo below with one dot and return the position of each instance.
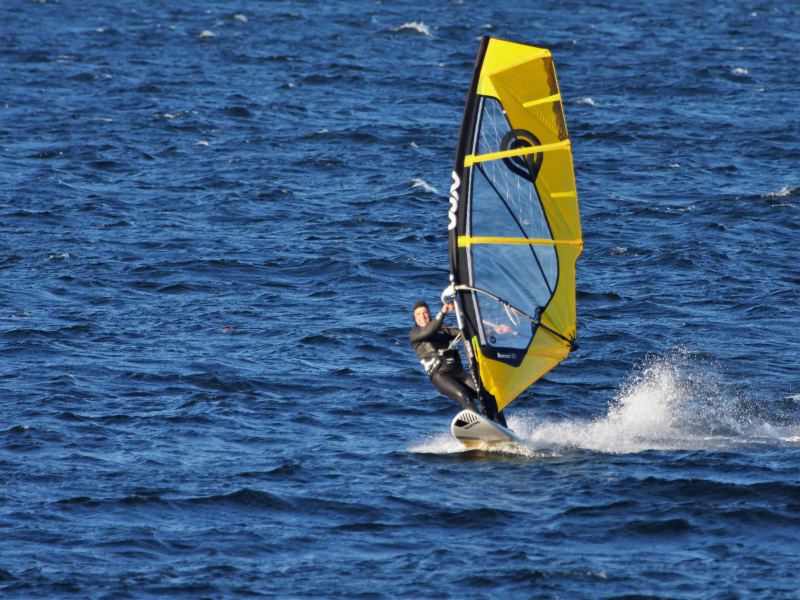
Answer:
(671, 403)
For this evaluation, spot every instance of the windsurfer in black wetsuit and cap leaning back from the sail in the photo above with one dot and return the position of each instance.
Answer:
(432, 342)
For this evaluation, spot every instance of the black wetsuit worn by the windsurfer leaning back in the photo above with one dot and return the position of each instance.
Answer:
(443, 366)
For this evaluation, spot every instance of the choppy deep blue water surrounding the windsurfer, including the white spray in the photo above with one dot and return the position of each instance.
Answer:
(214, 218)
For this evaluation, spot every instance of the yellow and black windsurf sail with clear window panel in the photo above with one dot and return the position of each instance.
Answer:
(514, 227)
